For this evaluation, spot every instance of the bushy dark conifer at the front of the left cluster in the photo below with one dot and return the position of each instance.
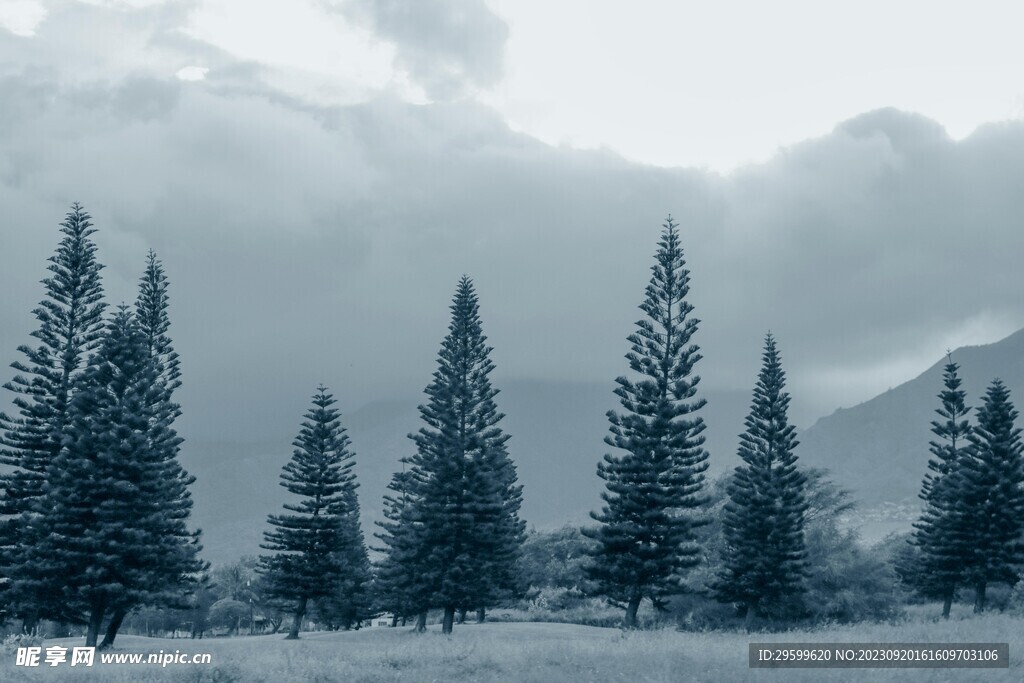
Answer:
(117, 500)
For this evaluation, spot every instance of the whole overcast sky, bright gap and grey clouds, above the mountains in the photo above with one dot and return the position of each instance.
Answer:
(317, 176)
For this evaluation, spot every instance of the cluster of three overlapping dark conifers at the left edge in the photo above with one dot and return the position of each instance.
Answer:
(94, 510)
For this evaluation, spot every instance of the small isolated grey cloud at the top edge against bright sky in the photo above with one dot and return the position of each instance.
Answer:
(450, 48)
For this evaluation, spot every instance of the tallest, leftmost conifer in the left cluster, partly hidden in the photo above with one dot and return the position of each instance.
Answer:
(71, 325)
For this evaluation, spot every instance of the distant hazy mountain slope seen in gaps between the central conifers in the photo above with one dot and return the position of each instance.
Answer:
(558, 432)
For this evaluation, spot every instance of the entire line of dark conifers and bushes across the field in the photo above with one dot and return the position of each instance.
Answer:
(95, 505)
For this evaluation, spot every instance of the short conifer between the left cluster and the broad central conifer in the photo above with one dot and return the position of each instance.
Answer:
(319, 548)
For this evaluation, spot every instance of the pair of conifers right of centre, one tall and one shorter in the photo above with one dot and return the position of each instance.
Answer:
(647, 539)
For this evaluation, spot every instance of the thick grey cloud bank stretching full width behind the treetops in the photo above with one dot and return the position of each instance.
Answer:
(311, 244)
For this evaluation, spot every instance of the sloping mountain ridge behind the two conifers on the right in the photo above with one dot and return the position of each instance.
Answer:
(880, 448)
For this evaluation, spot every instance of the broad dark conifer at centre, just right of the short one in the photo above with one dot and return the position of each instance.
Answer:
(461, 529)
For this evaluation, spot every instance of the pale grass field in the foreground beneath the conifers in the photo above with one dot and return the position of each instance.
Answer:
(530, 653)
